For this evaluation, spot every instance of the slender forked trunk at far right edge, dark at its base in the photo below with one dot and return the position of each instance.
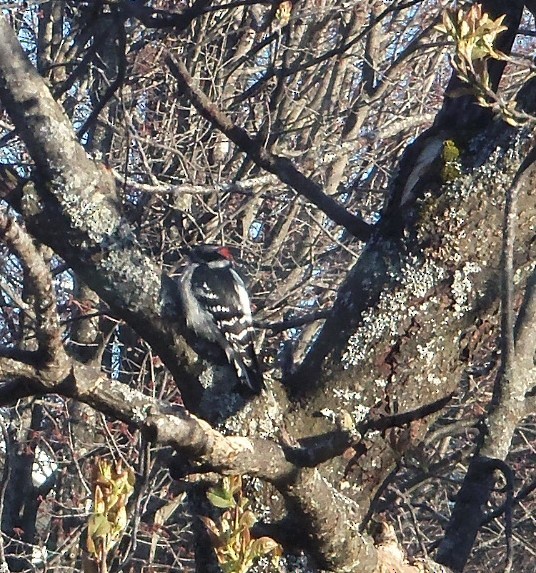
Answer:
(516, 377)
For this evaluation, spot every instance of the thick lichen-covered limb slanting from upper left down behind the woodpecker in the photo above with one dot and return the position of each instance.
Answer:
(74, 209)
